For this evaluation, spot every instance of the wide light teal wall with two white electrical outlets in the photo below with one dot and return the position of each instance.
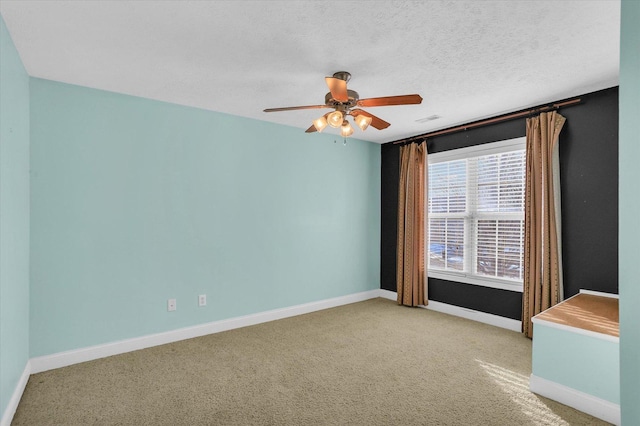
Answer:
(137, 201)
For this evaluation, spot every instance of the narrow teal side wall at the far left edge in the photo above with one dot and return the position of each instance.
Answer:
(14, 217)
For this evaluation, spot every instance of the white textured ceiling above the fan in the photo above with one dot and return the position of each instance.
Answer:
(467, 59)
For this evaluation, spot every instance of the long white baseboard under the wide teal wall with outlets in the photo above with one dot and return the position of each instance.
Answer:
(63, 359)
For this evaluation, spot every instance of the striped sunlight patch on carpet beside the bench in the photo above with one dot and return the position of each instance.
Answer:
(517, 387)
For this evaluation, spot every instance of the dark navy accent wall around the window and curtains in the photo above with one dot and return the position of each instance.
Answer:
(589, 190)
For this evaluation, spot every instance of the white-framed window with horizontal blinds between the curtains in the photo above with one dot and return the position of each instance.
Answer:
(476, 214)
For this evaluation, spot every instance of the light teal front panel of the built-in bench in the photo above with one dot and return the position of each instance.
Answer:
(580, 362)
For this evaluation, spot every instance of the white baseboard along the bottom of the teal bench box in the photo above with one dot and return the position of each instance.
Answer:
(597, 407)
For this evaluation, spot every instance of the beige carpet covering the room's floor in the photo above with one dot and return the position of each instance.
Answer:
(369, 363)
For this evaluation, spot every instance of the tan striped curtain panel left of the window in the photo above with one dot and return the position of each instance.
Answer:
(411, 268)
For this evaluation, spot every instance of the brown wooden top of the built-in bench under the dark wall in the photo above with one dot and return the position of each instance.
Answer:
(588, 312)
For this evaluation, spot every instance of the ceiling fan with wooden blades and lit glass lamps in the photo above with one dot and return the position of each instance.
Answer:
(344, 102)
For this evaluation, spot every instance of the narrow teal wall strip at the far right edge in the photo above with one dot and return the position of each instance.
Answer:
(629, 208)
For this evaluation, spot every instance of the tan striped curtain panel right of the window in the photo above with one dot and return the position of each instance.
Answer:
(542, 245)
